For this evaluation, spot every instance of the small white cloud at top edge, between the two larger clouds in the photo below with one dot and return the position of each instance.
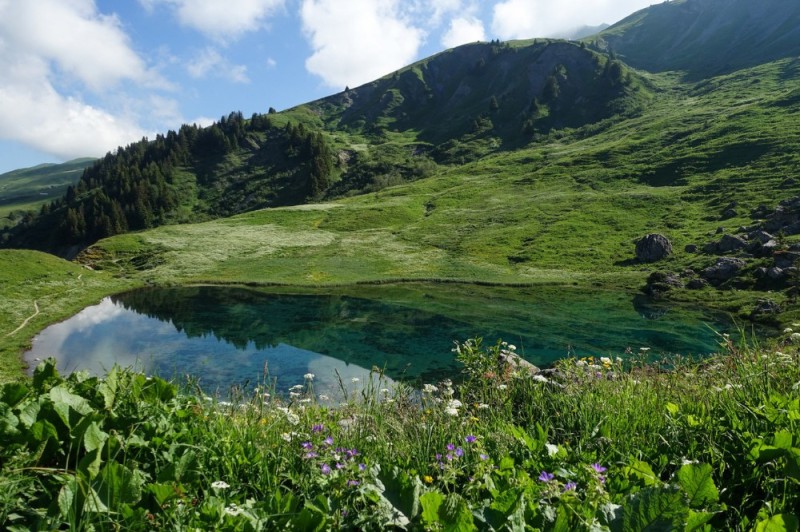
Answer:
(221, 19)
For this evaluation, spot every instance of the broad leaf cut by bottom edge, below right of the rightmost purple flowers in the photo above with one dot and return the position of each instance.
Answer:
(654, 509)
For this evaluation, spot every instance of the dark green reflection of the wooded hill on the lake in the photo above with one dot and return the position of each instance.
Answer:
(358, 331)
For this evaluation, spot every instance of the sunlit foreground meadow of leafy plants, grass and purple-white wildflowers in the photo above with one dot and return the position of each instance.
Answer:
(607, 443)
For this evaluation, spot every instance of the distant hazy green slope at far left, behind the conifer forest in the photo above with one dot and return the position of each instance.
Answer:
(29, 188)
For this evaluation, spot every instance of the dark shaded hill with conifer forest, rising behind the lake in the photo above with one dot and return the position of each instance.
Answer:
(456, 106)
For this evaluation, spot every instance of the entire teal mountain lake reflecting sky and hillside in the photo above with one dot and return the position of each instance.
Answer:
(226, 336)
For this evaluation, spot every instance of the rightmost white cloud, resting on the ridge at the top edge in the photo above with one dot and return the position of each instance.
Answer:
(526, 19)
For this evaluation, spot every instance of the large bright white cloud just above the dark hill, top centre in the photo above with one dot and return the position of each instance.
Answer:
(357, 41)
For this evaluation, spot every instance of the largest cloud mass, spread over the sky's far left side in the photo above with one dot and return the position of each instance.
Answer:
(46, 69)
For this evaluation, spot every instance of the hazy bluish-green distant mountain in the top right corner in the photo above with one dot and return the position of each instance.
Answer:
(705, 37)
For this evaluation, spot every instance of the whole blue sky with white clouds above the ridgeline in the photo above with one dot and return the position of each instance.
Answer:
(81, 77)
